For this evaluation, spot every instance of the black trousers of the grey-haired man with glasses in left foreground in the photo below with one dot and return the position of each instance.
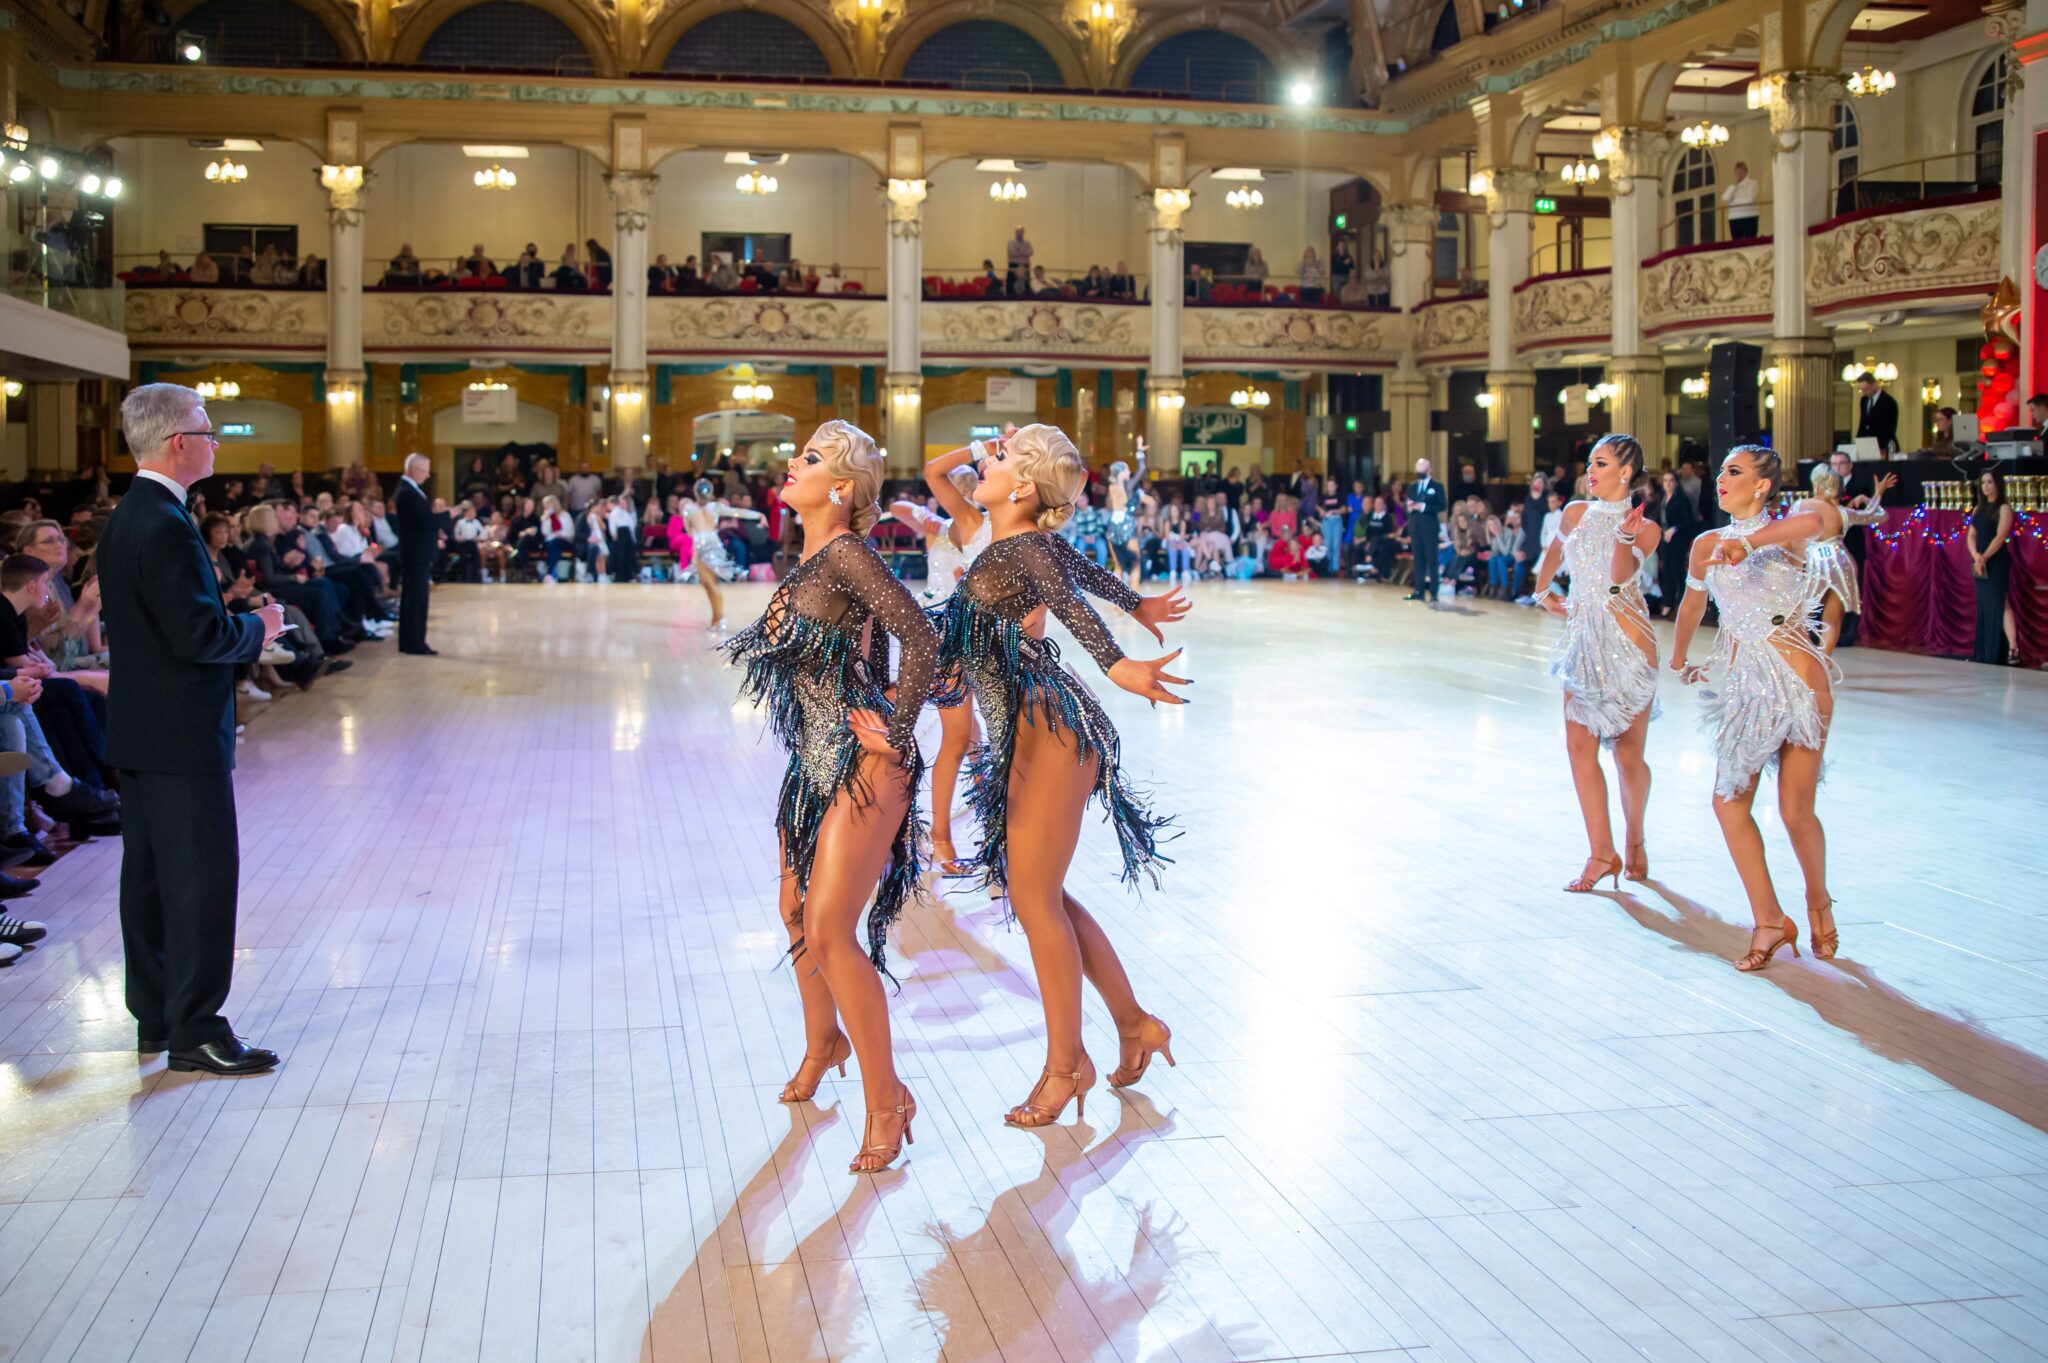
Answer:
(181, 867)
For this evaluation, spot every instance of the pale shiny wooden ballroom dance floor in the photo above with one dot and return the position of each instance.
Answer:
(509, 916)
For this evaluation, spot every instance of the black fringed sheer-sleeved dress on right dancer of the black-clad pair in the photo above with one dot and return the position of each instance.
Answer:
(1011, 674)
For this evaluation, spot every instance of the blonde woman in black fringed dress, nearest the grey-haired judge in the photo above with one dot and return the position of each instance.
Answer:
(849, 816)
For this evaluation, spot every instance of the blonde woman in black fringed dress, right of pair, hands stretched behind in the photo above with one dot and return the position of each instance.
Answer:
(1052, 748)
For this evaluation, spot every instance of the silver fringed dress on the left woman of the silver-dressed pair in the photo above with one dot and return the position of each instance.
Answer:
(1607, 676)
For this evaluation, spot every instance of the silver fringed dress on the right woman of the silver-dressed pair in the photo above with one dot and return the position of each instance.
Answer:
(1760, 703)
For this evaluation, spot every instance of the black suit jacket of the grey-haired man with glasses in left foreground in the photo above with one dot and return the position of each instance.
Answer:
(171, 695)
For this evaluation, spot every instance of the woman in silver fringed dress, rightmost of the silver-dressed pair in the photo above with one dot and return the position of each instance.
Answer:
(1775, 691)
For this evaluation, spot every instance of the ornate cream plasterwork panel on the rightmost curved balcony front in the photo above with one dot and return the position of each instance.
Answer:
(1914, 255)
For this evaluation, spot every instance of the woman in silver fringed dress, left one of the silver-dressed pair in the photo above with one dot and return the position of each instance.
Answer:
(1607, 660)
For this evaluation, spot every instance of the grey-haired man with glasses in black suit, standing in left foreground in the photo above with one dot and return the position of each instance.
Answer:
(171, 732)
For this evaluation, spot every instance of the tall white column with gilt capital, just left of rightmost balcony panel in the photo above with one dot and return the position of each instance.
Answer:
(1803, 116)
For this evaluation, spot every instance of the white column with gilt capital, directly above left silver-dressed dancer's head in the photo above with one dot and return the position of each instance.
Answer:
(1635, 167)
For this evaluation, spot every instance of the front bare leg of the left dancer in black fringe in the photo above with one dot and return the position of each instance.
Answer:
(853, 850)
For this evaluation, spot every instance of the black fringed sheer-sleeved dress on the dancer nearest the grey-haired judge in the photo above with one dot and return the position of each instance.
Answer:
(804, 660)
